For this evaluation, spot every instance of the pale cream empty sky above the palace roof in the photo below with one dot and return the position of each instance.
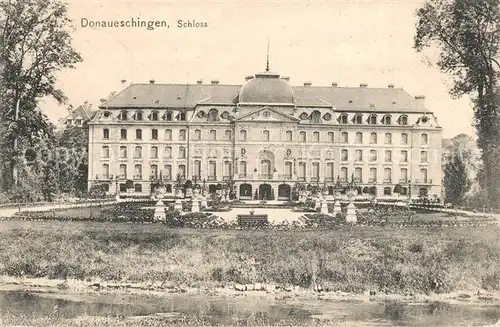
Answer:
(348, 42)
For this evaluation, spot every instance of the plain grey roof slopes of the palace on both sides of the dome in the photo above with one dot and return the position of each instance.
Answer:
(340, 98)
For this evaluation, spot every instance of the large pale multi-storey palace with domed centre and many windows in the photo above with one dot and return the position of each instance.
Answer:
(266, 135)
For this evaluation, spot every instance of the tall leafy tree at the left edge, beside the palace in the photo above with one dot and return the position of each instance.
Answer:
(36, 44)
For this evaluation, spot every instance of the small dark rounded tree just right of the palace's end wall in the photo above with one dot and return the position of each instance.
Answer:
(456, 178)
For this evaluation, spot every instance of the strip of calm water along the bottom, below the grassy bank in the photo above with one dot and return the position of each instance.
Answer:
(219, 310)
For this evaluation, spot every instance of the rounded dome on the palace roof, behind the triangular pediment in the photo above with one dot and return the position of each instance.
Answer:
(266, 87)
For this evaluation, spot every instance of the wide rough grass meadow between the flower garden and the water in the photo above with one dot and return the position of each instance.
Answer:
(351, 259)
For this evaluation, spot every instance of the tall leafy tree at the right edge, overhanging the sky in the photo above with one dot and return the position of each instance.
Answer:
(467, 34)
